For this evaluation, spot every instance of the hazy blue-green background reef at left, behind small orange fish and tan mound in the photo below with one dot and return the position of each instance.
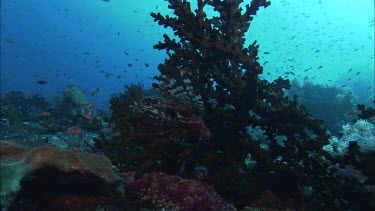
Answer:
(34, 121)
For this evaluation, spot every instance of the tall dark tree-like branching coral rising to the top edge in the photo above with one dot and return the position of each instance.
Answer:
(225, 75)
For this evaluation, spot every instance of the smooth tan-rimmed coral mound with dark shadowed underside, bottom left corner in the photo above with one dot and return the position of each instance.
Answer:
(57, 175)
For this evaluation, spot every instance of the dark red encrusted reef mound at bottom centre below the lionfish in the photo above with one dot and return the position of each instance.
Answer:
(173, 192)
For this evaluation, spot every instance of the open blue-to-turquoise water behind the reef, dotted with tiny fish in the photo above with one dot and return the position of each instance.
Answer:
(104, 45)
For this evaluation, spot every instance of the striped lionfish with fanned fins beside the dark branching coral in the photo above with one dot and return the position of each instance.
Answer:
(179, 108)
